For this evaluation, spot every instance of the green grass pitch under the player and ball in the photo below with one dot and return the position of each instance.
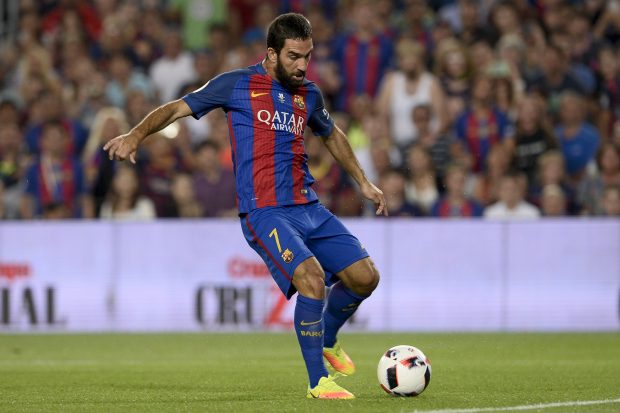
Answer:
(264, 372)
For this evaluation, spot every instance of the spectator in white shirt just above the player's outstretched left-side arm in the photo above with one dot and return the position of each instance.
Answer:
(172, 70)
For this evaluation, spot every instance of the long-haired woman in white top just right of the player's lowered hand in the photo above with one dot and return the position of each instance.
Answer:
(421, 184)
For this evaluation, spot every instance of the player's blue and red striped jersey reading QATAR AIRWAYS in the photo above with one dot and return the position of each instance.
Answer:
(266, 123)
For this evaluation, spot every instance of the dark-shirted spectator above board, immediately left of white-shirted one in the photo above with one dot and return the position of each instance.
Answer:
(454, 203)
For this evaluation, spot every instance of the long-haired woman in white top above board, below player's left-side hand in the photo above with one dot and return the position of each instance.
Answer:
(123, 200)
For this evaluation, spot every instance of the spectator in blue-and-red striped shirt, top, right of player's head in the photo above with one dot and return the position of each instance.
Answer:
(363, 55)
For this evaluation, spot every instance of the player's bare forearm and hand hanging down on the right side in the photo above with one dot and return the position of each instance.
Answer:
(338, 145)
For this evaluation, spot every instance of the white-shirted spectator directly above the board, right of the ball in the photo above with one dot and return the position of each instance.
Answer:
(511, 204)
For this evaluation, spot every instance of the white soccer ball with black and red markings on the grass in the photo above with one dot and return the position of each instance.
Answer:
(404, 371)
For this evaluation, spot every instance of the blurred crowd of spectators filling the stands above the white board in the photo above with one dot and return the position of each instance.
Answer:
(455, 108)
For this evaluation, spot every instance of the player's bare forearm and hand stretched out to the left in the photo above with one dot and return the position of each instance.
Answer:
(125, 146)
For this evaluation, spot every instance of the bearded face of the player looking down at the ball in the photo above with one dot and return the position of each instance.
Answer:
(292, 63)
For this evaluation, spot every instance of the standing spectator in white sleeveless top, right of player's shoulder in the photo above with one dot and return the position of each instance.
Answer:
(404, 89)
